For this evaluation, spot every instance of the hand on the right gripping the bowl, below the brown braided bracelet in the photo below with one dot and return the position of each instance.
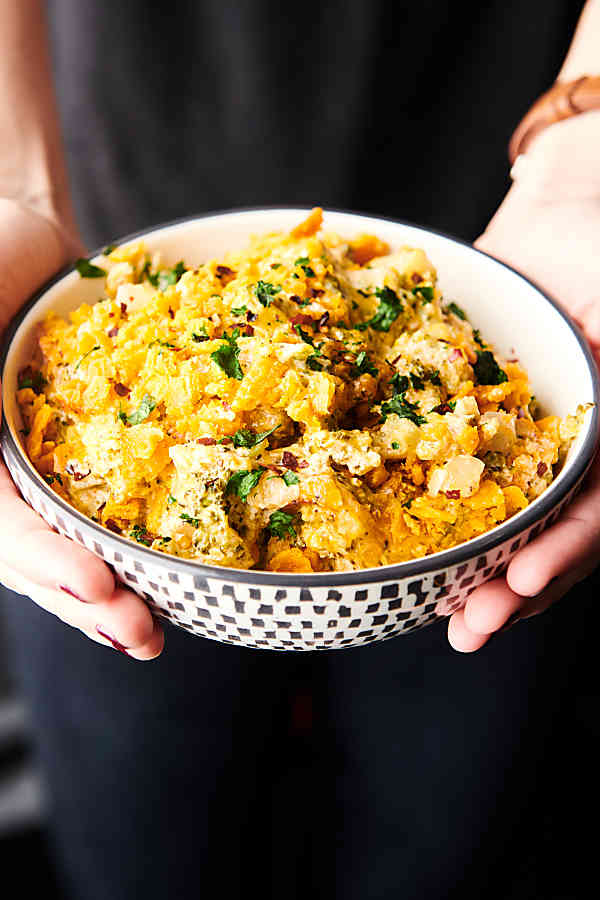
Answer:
(548, 227)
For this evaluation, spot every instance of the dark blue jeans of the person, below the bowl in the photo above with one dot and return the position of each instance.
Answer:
(399, 770)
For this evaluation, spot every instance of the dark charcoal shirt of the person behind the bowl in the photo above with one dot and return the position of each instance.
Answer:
(404, 109)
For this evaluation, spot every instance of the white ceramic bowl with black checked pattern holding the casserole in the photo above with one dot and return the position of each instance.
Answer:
(329, 610)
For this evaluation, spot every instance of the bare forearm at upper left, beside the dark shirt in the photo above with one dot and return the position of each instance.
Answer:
(32, 164)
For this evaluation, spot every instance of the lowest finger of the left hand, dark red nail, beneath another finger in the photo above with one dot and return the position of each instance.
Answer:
(123, 621)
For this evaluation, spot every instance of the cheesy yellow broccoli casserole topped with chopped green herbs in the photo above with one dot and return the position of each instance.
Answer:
(308, 404)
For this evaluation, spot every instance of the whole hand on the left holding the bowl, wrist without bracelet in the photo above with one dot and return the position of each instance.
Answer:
(58, 574)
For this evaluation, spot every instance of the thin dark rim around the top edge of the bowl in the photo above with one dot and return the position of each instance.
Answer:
(443, 559)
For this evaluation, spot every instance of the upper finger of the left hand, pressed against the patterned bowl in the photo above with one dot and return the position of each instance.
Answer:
(30, 548)
